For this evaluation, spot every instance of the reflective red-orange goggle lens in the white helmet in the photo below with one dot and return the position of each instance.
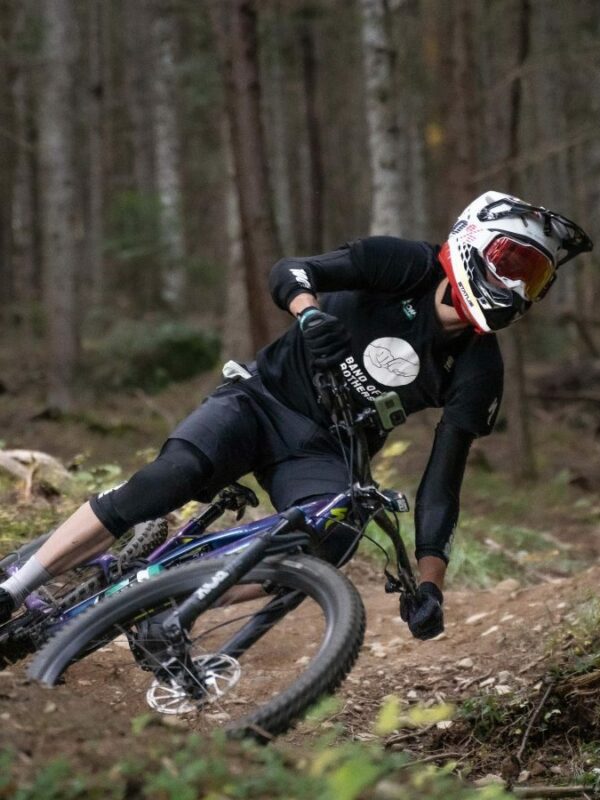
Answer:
(518, 261)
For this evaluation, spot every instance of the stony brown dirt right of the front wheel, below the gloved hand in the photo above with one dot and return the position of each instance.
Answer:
(495, 640)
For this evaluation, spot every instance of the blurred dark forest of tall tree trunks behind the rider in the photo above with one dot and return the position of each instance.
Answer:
(160, 155)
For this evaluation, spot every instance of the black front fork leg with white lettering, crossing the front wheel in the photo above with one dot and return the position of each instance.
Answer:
(183, 617)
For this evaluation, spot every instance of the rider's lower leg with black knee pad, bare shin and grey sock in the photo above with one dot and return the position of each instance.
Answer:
(170, 481)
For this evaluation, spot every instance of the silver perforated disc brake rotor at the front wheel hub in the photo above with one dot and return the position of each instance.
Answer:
(219, 673)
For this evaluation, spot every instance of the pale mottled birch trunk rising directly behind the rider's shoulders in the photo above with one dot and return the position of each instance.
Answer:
(385, 137)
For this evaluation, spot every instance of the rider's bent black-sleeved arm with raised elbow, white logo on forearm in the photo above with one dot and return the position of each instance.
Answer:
(377, 263)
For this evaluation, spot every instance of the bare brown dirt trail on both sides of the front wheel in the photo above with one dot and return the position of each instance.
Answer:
(494, 640)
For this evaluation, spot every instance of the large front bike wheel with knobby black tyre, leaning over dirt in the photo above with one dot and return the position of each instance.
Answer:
(242, 671)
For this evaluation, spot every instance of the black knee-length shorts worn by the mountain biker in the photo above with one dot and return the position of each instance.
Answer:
(242, 428)
